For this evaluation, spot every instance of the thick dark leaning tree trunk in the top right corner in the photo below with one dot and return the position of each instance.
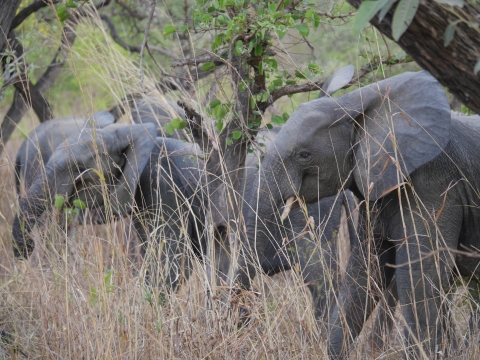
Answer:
(424, 39)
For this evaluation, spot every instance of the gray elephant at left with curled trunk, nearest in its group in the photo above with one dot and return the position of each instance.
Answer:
(161, 179)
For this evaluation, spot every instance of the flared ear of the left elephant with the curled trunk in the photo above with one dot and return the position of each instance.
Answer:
(136, 142)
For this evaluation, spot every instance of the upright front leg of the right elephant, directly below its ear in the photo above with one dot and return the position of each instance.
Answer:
(423, 272)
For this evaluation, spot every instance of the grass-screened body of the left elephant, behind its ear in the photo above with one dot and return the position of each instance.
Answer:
(171, 206)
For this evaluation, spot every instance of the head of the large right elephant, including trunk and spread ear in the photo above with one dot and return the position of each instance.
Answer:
(368, 141)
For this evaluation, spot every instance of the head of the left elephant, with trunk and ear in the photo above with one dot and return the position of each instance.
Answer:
(80, 167)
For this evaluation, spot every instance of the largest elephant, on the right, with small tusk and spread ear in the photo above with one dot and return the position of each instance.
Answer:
(416, 173)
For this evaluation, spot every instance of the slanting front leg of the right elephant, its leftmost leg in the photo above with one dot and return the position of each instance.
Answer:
(365, 280)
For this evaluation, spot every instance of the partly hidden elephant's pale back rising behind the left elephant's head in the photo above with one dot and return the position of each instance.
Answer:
(39, 145)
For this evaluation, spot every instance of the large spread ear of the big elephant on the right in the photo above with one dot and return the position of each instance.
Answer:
(402, 123)
